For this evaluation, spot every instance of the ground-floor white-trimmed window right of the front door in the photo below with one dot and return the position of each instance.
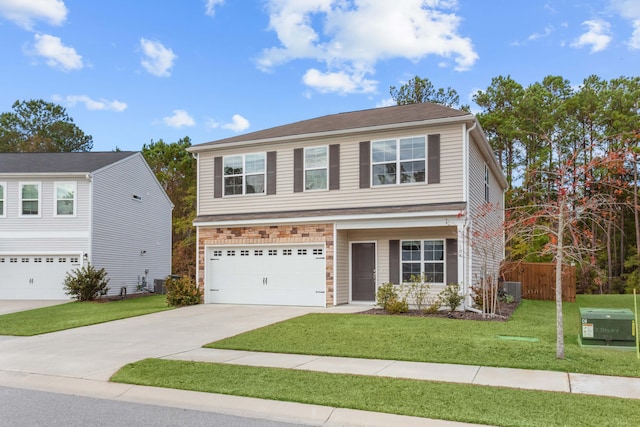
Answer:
(423, 258)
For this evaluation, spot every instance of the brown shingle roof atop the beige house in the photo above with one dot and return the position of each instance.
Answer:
(376, 117)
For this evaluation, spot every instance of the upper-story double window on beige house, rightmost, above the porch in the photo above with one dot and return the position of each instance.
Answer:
(398, 161)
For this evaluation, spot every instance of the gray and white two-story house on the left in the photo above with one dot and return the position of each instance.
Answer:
(60, 211)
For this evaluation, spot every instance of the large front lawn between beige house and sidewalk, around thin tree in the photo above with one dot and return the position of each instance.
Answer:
(448, 341)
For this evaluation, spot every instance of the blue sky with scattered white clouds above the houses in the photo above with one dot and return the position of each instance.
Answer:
(129, 72)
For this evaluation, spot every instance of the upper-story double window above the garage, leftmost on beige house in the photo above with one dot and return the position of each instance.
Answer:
(244, 174)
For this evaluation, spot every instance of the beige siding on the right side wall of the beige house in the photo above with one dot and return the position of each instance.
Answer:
(487, 248)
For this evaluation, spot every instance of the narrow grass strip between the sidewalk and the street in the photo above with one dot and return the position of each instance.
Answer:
(464, 403)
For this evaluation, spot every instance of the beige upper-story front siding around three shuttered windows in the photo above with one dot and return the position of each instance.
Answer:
(349, 195)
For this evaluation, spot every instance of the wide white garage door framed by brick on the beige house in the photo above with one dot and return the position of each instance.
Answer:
(269, 275)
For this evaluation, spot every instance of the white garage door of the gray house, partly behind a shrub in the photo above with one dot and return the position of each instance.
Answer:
(35, 276)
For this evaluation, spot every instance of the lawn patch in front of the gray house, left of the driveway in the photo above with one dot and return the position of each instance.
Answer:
(76, 314)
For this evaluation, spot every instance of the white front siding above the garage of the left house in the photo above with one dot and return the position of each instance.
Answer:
(45, 233)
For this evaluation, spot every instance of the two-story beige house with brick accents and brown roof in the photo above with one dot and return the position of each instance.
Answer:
(323, 211)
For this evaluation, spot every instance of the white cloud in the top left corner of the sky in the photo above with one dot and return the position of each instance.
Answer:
(26, 12)
